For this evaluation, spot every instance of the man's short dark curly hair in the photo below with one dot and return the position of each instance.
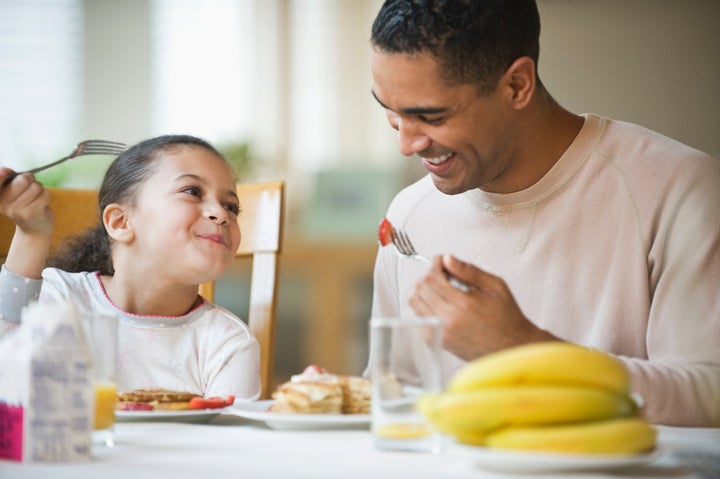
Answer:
(474, 41)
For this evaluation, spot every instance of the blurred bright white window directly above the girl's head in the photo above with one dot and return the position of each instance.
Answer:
(202, 77)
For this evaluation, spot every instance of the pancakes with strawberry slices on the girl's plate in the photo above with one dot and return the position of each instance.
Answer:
(168, 400)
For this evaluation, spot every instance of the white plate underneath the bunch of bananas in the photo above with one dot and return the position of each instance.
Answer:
(530, 461)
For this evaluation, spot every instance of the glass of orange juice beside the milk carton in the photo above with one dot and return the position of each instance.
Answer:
(101, 330)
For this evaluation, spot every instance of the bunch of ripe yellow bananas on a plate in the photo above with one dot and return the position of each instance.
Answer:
(551, 396)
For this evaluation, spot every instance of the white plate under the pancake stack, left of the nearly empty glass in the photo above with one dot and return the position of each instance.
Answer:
(257, 411)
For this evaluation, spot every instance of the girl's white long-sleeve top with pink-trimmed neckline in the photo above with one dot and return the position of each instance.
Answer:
(208, 351)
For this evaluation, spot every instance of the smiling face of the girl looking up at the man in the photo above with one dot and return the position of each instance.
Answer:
(185, 217)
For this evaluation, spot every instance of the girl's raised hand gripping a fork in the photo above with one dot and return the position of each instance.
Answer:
(25, 202)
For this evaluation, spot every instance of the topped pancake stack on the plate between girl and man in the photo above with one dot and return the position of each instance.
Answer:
(316, 391)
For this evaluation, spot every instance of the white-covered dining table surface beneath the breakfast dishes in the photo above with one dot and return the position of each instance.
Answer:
(229, 445)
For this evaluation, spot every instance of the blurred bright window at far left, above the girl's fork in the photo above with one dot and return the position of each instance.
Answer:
(41, 75)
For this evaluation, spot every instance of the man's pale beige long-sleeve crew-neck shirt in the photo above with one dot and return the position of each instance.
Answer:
(617, 247)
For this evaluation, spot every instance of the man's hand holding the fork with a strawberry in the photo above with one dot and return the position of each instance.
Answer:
(485, 319)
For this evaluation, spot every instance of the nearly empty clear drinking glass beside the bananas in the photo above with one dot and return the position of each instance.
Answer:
(404, 364)
